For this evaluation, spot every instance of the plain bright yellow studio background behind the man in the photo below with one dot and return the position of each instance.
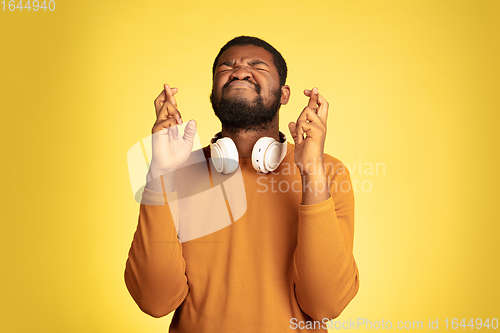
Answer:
(411, 84)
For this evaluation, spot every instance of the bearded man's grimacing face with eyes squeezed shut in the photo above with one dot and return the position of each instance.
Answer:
(246, 92)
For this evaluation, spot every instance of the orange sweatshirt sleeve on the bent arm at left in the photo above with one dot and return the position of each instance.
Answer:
(155, 269)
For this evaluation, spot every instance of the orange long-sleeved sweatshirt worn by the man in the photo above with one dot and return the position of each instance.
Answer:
(279, 267)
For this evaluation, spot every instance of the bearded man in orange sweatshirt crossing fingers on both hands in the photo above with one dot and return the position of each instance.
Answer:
(287, 263)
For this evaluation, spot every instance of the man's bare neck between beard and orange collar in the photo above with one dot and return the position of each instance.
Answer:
(245, 140)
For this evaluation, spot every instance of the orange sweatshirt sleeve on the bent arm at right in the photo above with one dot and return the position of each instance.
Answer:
(326, 275)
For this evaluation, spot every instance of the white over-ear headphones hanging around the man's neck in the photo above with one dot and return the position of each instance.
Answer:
(267, 154)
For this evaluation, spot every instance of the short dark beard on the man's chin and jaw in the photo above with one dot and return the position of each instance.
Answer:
(239, 114)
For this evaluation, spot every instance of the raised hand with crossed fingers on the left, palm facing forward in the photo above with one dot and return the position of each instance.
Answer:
(168, 149)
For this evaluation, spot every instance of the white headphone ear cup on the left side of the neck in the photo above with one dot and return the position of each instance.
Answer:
(224, 155)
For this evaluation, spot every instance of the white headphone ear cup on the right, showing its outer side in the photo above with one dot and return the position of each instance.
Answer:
(266, 155)
